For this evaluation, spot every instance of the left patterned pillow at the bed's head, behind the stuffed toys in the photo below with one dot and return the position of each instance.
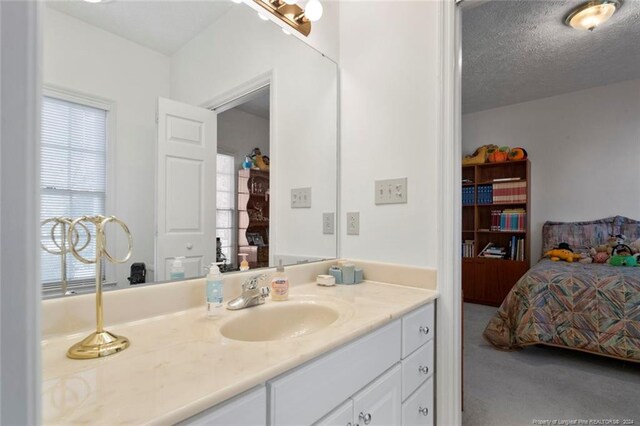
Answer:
(581, 236)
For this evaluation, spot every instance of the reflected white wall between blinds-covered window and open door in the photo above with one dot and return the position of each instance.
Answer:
(83, 58)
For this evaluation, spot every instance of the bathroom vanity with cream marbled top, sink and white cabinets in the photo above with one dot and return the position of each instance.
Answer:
(364, 355)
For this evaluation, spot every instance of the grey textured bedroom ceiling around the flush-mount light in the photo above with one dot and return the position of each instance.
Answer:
(520, 50)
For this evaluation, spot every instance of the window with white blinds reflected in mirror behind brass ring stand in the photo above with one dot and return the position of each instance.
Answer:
(72, 177)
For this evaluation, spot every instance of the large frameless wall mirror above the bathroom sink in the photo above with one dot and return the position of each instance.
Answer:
(211, 133)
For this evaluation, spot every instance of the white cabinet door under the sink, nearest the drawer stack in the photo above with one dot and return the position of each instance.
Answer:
(379, 404)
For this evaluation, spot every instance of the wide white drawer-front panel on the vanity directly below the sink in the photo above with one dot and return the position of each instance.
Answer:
(305, 395)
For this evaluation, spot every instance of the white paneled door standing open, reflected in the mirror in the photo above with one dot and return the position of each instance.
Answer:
(186, 189)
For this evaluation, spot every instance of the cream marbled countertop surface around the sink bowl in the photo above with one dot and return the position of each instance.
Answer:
(179, 364)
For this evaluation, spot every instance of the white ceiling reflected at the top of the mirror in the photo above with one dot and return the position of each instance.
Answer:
(164, 26)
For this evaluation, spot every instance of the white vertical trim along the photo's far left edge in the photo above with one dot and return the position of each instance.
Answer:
(20, 294)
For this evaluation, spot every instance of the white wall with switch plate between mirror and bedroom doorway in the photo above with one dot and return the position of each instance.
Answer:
(389, 59)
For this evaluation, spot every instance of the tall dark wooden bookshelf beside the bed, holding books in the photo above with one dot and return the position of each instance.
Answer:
(488, 280)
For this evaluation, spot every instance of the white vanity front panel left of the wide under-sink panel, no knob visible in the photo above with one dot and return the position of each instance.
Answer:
(248, 409)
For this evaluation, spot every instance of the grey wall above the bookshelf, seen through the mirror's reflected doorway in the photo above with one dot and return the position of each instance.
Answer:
(239, 132)
